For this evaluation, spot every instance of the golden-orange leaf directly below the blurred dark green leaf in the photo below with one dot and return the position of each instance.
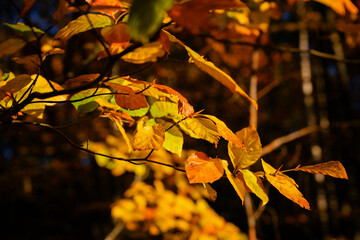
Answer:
(148, 53)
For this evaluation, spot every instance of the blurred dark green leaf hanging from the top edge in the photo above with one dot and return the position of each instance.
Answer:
(146, 18)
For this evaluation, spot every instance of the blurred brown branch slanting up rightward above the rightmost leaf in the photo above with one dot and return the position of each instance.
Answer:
(288, 138)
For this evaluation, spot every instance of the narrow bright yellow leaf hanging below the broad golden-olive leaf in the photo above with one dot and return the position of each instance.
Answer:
(252, 182)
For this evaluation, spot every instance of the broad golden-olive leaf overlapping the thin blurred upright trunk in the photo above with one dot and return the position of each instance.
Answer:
(240, 157)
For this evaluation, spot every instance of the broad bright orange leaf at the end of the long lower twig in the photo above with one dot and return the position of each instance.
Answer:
(202, 169)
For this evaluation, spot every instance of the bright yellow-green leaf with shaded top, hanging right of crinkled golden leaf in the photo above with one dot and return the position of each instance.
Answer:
(174, 139)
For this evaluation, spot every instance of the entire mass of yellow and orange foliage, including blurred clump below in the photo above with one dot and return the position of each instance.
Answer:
(151, 119)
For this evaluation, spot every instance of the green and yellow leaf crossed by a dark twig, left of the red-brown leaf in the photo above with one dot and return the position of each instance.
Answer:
(88, 104)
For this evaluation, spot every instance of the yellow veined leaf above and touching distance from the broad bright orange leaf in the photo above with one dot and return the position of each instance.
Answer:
(200, 128)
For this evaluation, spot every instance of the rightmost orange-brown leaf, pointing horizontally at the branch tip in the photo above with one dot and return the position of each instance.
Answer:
(332, 168)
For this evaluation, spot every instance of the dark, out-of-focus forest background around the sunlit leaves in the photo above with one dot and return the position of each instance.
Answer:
(51, 191)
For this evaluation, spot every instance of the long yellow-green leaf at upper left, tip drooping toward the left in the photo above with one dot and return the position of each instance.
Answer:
(83, 24)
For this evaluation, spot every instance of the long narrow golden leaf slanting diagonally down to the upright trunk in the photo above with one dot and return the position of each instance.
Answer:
(212, 70)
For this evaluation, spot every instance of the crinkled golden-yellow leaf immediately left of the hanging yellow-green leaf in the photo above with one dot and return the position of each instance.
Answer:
(148, 136)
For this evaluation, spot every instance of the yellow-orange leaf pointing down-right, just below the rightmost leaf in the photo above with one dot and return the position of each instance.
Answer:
(286, 187)
